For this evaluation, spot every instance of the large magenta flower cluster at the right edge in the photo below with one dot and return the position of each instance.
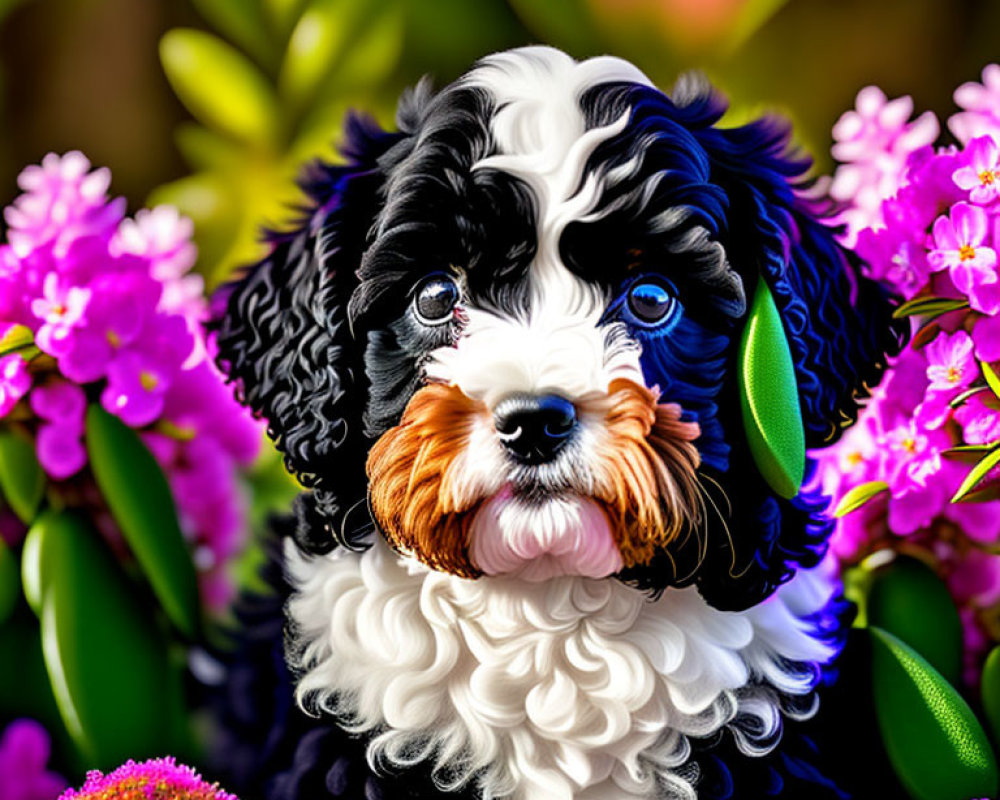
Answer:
(926, 220)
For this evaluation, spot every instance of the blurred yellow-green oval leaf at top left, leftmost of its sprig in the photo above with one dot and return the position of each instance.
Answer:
(219, 86)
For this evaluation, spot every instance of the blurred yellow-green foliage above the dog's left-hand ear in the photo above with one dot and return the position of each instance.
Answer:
(266, 102)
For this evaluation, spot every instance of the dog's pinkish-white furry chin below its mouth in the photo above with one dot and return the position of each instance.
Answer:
(539, 538)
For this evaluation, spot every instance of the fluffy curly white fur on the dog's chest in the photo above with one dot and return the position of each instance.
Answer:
(575, 688)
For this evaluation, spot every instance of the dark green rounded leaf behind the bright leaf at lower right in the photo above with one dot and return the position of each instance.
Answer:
(907, 599)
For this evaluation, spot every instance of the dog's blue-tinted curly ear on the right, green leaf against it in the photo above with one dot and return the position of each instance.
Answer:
(835, 327)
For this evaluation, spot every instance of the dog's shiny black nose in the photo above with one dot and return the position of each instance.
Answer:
(534, 428)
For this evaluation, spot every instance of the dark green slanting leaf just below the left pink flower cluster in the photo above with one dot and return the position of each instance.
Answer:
(140, 501)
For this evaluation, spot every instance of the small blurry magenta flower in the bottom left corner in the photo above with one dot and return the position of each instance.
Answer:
(24, 754)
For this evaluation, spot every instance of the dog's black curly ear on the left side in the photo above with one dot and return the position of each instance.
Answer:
(284, 339)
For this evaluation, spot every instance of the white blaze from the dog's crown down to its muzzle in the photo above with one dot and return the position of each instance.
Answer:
(541, 137)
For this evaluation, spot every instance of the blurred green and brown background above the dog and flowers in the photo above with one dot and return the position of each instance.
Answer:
(214, 104)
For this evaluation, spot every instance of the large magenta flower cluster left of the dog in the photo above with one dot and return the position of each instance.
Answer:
(115, 317)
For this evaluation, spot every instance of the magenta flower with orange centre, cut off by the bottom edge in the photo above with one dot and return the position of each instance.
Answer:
(159, 777)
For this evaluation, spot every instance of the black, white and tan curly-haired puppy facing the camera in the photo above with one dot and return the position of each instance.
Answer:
(537, 556)
